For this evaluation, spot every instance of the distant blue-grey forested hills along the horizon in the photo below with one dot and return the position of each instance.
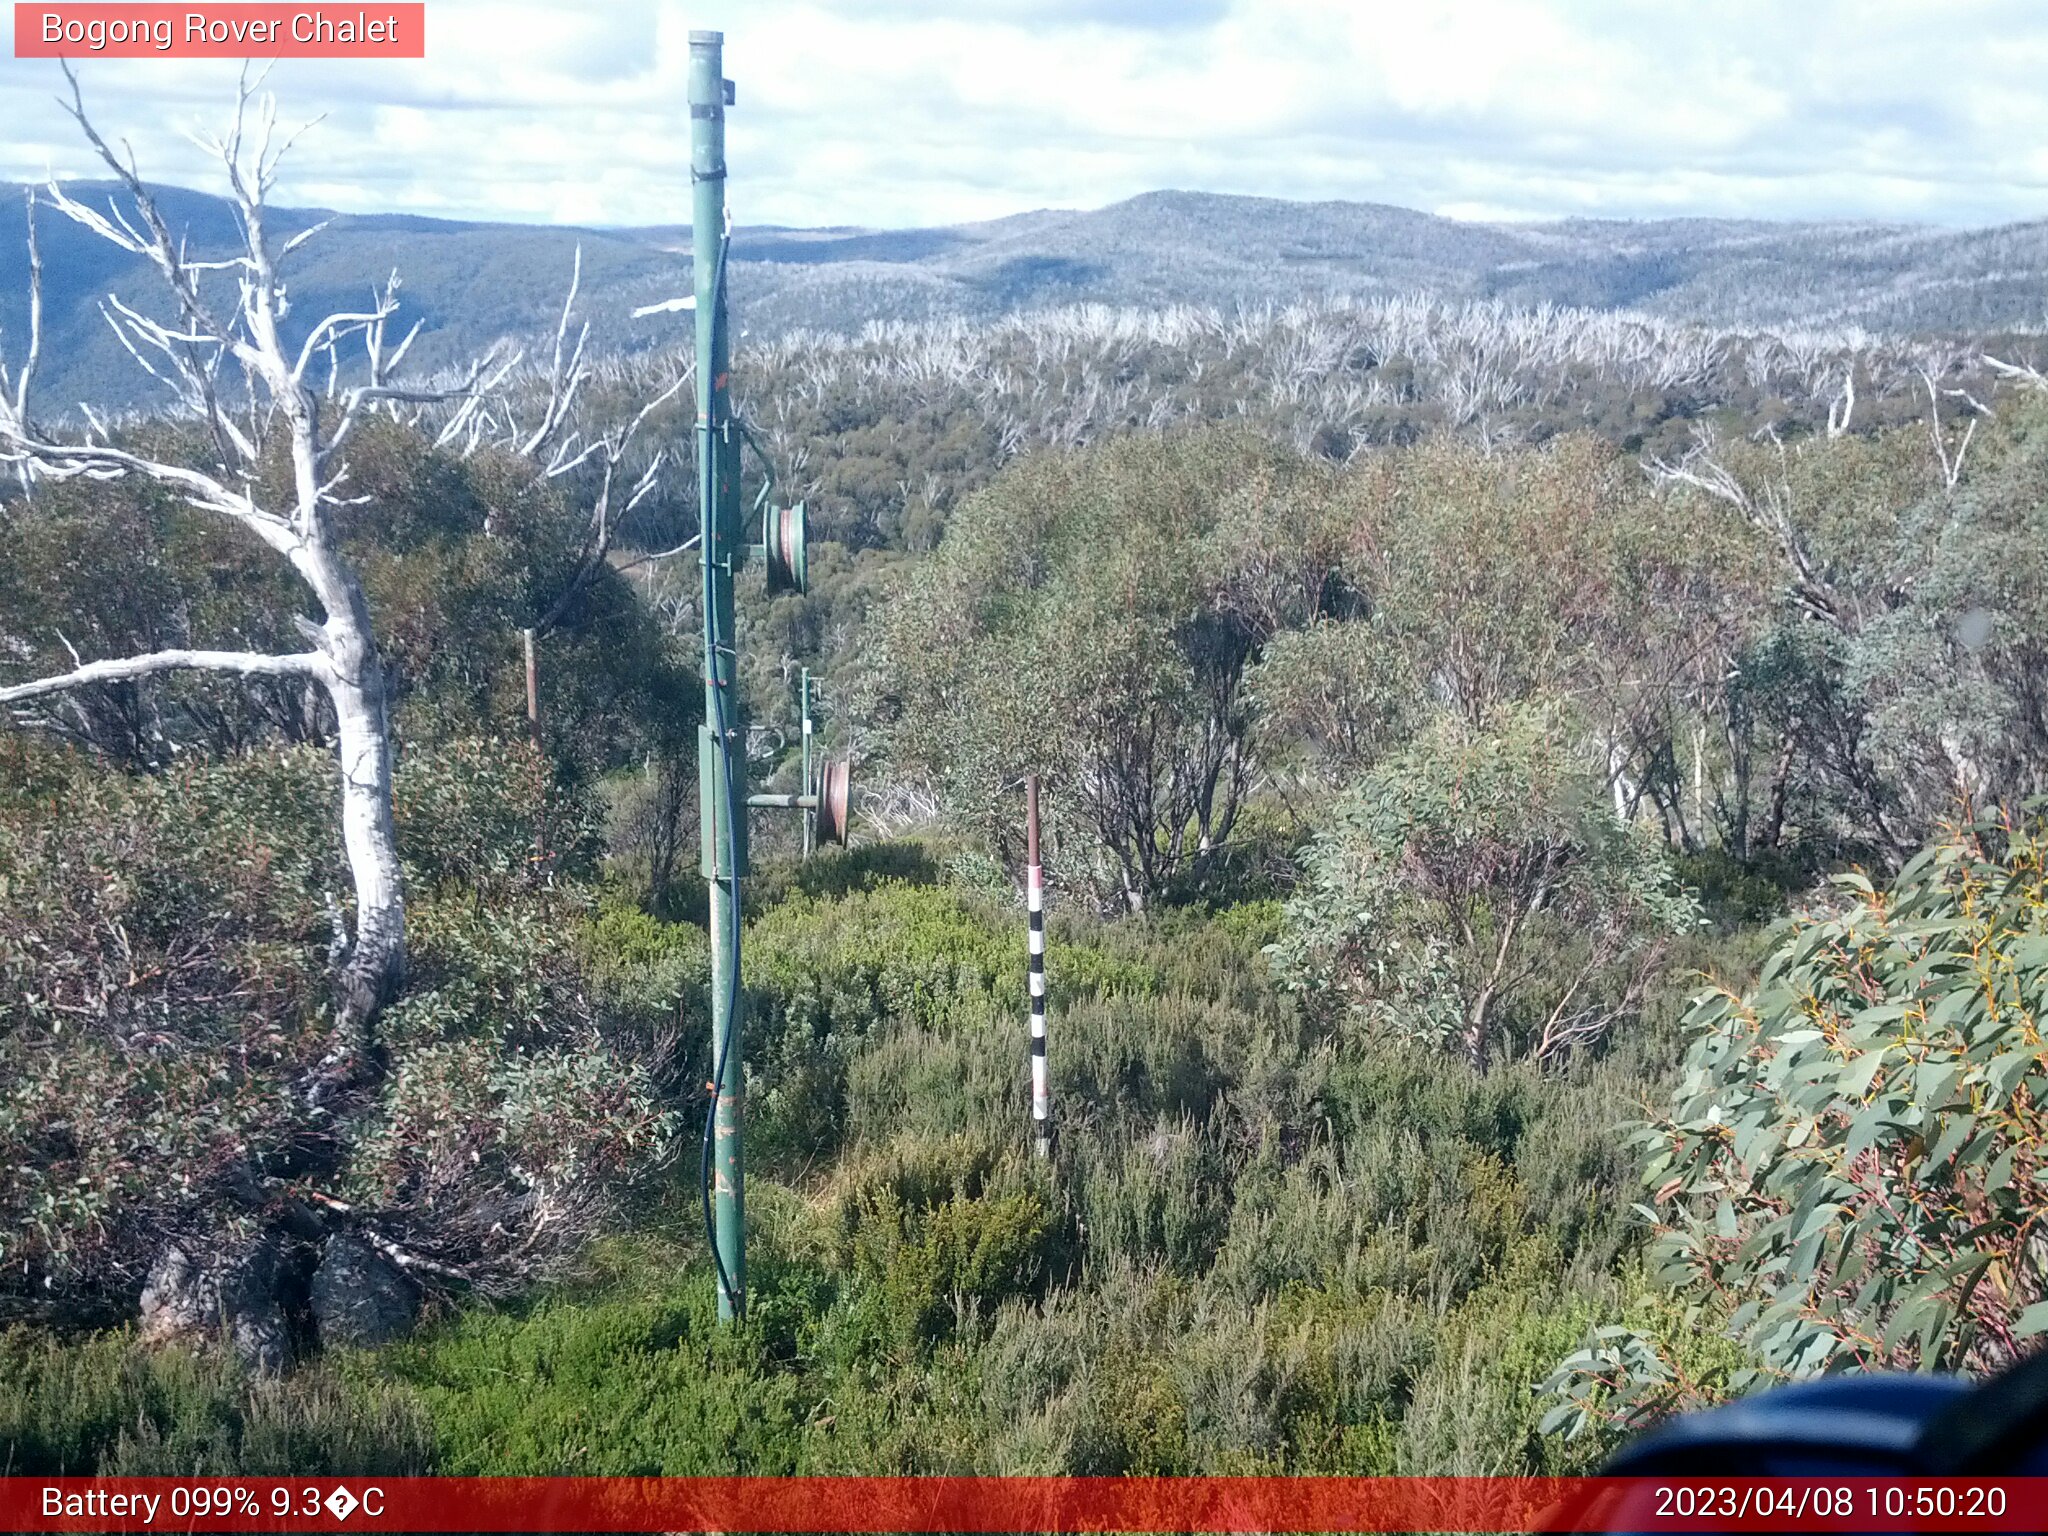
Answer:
(476, 282)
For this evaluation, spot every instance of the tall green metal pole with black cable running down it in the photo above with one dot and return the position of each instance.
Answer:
(722, 767)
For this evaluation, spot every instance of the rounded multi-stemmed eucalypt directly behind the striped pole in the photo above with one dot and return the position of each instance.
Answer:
(1091, 617)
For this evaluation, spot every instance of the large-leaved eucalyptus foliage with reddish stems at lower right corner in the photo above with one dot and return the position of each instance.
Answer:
(1848, 1177)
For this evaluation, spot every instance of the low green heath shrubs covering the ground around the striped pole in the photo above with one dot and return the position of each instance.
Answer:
(1261, 1250)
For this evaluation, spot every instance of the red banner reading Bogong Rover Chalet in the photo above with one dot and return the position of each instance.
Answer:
(220, 32)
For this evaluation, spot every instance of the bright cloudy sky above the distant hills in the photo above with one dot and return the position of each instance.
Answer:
(898, 114)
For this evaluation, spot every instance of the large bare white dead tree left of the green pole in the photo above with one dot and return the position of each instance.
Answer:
(267, 413)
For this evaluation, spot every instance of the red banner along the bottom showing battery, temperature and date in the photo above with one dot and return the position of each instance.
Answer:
(1021, 1504)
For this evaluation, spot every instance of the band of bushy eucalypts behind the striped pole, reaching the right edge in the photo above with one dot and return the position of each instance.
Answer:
(1795, 687)
